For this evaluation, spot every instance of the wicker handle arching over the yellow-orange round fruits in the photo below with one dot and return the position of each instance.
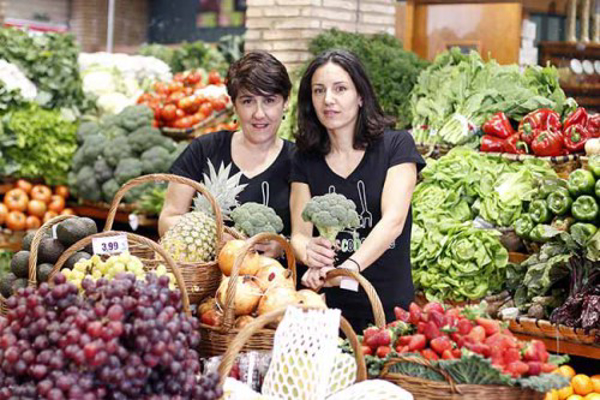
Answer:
(228, 314)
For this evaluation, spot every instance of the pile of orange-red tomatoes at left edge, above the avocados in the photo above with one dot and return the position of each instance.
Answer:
(27, 206)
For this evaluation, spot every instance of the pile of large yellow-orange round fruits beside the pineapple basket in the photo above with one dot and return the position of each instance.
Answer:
(263, 285)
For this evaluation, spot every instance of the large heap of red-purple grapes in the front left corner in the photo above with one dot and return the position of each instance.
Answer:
(125, 339)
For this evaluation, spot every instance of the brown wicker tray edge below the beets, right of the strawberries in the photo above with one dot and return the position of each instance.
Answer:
(545, 329)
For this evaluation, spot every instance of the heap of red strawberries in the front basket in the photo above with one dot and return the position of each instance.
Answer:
(446, 333)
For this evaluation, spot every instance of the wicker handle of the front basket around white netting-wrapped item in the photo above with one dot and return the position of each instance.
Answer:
(242, 337)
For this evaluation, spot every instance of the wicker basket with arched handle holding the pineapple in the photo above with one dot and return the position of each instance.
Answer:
(201, 279)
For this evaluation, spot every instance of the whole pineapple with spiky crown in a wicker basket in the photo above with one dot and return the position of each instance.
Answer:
(193, 238)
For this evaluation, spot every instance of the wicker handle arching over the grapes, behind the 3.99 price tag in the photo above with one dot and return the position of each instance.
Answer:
(139, 240)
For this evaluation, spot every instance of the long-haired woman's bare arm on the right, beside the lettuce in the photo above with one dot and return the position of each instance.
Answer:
(395, 202)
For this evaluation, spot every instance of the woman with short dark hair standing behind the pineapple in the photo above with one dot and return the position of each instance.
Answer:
(259, 87)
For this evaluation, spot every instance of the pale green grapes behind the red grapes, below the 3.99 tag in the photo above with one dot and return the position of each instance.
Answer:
(95, 269)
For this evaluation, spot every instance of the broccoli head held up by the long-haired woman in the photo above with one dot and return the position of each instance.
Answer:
(331, 214)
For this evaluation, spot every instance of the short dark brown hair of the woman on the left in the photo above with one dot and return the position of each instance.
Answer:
(259, 73)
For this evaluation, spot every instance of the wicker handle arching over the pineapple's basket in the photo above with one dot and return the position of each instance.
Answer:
(110, 218)
